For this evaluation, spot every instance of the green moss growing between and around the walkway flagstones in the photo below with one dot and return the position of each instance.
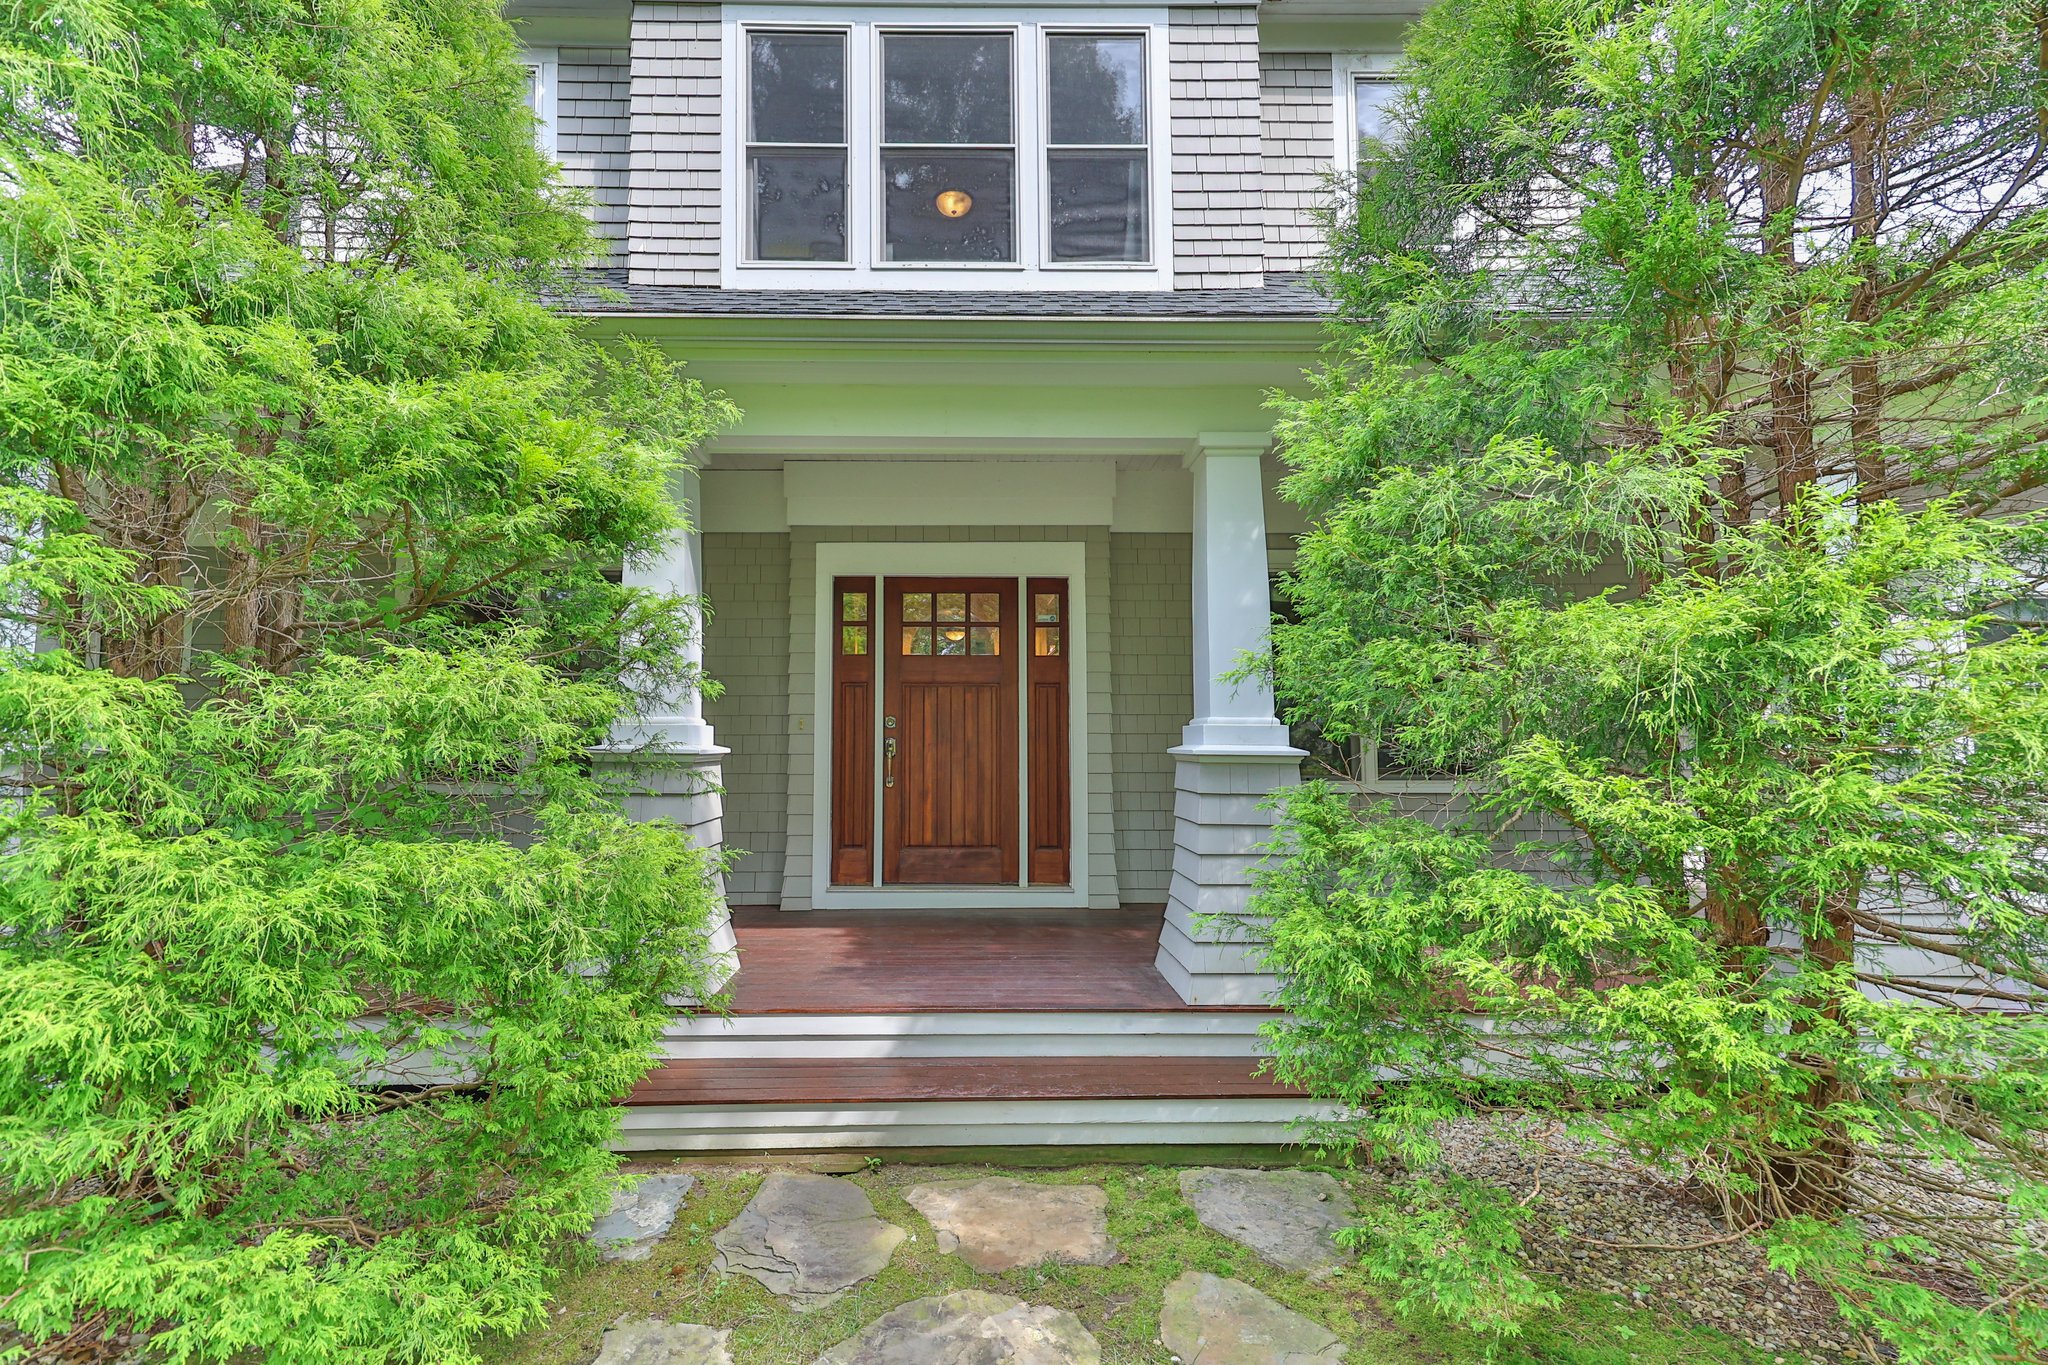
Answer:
(1160, 1239)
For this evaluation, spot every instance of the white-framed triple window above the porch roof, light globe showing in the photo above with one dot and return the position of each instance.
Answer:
(947, 152)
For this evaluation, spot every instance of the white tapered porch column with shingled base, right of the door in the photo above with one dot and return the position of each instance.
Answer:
(1234, 752)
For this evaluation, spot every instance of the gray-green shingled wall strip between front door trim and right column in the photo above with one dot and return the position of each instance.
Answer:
(1150, 654)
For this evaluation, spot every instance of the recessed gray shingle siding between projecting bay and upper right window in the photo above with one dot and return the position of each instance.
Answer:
(1295, 148)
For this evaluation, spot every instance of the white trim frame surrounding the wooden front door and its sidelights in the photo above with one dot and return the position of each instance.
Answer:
(910, 560)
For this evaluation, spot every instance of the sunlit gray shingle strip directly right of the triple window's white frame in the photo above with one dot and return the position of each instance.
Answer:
(1213, 73)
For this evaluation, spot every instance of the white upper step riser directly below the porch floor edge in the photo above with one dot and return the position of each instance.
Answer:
(996, 1034)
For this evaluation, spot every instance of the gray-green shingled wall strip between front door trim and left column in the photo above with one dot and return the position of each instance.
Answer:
(746, 652)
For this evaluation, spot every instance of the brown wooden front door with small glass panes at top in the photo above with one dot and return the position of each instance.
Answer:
(951, 732)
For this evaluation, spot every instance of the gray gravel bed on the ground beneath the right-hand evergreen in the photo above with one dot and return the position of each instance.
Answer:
(1590, 1204)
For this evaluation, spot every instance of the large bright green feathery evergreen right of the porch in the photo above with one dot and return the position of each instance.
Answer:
(1670, 490)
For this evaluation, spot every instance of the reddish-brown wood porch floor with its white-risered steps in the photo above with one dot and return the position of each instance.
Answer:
(876, 1028)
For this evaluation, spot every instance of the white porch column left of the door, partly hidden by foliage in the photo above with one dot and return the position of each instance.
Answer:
(671, 758)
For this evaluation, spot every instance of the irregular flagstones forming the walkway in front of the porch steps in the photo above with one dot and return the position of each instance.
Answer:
(810, 1239)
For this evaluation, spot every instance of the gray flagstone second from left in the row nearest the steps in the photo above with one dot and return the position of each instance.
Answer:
(808, 1239)
